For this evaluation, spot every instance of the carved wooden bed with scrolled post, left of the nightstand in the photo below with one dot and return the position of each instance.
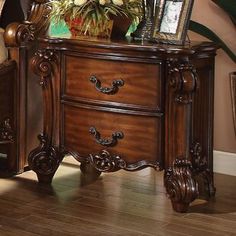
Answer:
(19, 121)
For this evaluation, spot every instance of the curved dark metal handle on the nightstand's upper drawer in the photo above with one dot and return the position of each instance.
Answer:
(114, 88)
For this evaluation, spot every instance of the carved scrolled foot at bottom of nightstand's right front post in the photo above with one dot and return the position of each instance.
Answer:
(180, 185)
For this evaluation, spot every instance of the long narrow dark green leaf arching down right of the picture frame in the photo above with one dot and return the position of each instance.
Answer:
(208, 33)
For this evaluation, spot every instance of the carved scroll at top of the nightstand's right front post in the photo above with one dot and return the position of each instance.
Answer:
(183, 79)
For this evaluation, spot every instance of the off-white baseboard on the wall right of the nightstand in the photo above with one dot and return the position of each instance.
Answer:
(224, 162)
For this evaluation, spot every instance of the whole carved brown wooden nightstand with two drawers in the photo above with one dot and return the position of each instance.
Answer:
(128, 105)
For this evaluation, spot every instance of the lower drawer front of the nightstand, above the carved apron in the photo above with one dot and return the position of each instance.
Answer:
(141, 134)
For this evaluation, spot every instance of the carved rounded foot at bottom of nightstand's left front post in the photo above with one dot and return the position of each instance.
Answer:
(44, 160)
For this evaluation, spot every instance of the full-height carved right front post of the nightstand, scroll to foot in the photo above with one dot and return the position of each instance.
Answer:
(180, 184)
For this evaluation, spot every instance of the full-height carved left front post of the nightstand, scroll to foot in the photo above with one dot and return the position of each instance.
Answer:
(45, 159)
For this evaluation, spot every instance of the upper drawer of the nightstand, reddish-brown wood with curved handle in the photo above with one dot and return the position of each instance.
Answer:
(141, 81)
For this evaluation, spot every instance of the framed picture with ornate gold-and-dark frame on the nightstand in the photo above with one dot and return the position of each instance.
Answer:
(172, 20)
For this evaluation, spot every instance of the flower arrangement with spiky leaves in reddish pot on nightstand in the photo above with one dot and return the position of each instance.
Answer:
(94, 17)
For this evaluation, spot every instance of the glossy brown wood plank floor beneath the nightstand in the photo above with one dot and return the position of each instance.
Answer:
(120, 203)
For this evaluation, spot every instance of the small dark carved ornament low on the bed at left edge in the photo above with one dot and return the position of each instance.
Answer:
(6, 132)
